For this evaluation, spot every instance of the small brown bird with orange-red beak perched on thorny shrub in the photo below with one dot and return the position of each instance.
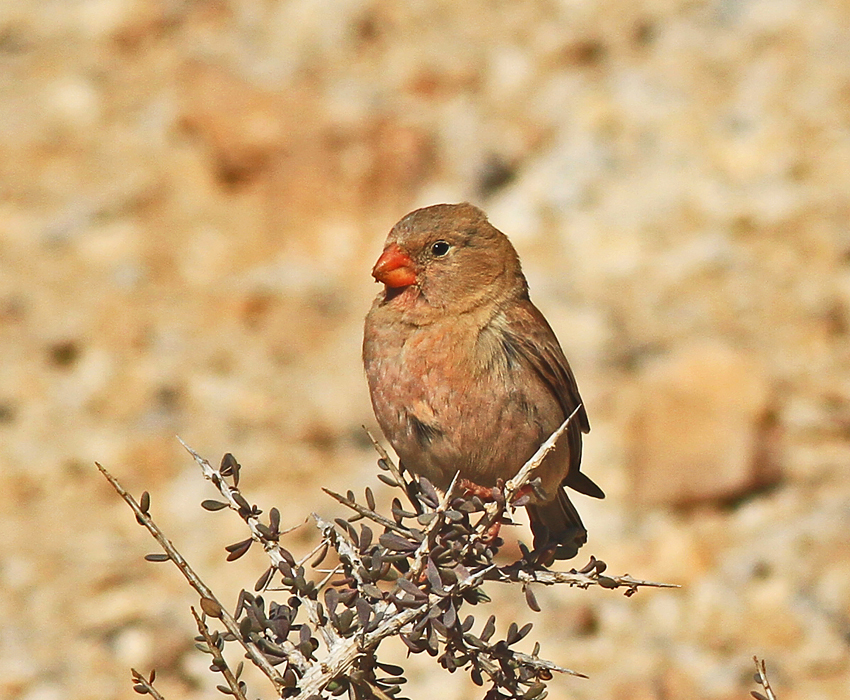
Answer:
(465, 374)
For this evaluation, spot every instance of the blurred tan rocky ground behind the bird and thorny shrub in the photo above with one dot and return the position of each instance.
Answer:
(192, 194)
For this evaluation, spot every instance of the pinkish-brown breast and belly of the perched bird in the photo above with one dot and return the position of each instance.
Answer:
(450, 398)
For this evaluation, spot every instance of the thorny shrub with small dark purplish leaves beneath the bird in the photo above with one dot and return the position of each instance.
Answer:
(409, 580)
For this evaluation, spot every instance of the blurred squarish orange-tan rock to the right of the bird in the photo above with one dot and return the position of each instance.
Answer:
(697, 426)
